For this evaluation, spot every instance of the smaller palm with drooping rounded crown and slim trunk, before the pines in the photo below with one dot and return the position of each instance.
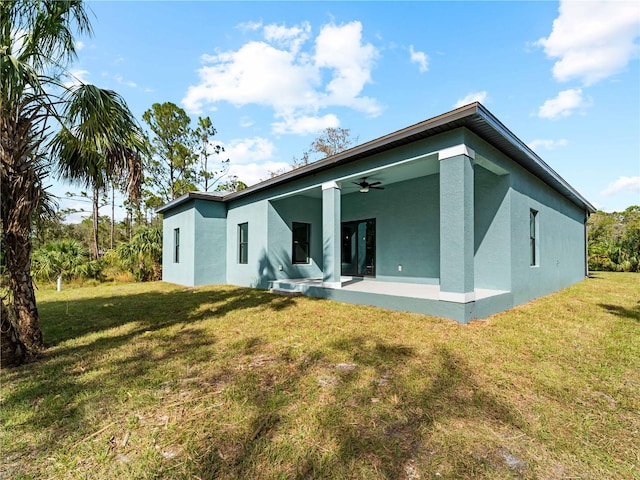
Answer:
(100, 144)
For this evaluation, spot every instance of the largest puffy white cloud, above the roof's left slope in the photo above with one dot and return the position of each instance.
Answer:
(281, 74)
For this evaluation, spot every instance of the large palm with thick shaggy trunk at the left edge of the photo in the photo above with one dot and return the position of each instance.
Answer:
(36, 46)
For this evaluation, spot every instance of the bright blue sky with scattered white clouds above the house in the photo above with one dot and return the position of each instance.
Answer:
(564, 77)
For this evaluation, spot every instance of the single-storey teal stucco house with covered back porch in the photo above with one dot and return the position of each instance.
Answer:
(454, 216)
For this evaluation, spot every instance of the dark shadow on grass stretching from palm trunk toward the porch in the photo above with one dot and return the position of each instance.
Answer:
(52, 392)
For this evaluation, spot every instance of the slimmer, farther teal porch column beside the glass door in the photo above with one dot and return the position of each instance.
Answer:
(331, 261)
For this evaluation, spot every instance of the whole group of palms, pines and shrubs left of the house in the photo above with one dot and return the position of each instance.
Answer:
(89, 136)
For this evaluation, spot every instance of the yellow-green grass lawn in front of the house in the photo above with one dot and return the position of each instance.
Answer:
(159, 381)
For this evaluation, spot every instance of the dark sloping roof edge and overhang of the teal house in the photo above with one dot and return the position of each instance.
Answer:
(475, 117)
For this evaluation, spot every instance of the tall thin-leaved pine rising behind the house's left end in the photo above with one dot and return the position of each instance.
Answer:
(170, 170)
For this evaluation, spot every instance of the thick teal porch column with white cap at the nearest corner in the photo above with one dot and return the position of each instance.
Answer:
(456, 224)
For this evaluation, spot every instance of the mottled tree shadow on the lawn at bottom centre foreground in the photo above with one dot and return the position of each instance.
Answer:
(366, 439)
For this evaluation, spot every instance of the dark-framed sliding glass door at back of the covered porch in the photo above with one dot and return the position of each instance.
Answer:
(359, 248)
